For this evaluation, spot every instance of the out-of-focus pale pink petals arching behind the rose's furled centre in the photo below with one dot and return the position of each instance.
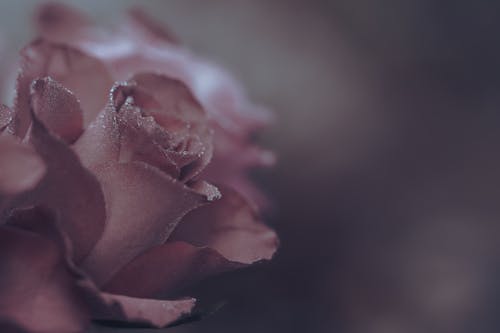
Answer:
(141, 45)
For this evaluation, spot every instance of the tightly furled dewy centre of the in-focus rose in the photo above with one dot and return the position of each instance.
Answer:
(152, 119)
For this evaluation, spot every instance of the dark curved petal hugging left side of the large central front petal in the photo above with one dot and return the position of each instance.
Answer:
(67, 188)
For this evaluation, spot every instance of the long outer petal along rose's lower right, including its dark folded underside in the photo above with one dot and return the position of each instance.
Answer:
(212, 239)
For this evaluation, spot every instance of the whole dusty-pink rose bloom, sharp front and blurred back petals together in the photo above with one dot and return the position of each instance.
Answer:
(106, 201)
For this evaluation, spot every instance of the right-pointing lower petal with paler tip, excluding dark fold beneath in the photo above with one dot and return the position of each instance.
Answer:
(231, 227)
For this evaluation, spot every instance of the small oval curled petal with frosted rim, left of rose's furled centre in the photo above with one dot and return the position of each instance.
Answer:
(57, 108)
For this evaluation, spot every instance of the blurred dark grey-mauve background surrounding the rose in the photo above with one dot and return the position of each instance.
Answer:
(388, 134)
